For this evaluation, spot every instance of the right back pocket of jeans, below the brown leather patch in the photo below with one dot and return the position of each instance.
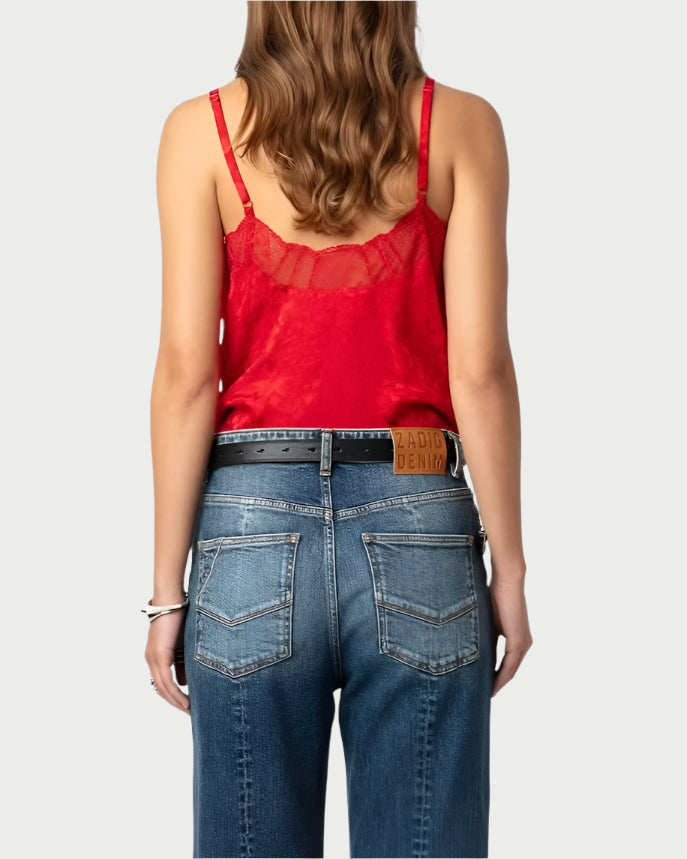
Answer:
(425, 598)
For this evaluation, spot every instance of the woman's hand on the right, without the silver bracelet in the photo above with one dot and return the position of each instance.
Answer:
(510, 616)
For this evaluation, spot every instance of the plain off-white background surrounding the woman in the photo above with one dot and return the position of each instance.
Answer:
(587, 742)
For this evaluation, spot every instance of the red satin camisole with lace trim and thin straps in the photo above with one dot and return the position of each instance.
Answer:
(347, 336)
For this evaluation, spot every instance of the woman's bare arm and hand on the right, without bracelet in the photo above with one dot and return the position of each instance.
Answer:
(481, 372)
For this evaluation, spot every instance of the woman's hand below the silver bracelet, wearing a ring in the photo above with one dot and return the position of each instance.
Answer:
(165, 636)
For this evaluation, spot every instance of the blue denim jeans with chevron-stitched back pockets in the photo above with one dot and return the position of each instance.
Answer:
(362, 580)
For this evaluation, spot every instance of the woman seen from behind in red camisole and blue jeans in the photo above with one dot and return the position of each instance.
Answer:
(334, 308)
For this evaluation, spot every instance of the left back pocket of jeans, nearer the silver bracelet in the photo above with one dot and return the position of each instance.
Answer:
(244, 601)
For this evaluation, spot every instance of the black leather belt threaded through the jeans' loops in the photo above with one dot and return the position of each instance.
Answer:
(308, 450)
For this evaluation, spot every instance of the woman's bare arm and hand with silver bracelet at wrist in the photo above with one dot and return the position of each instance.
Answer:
(186, 379)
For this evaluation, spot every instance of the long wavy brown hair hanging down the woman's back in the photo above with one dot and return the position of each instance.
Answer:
(326, 92)
